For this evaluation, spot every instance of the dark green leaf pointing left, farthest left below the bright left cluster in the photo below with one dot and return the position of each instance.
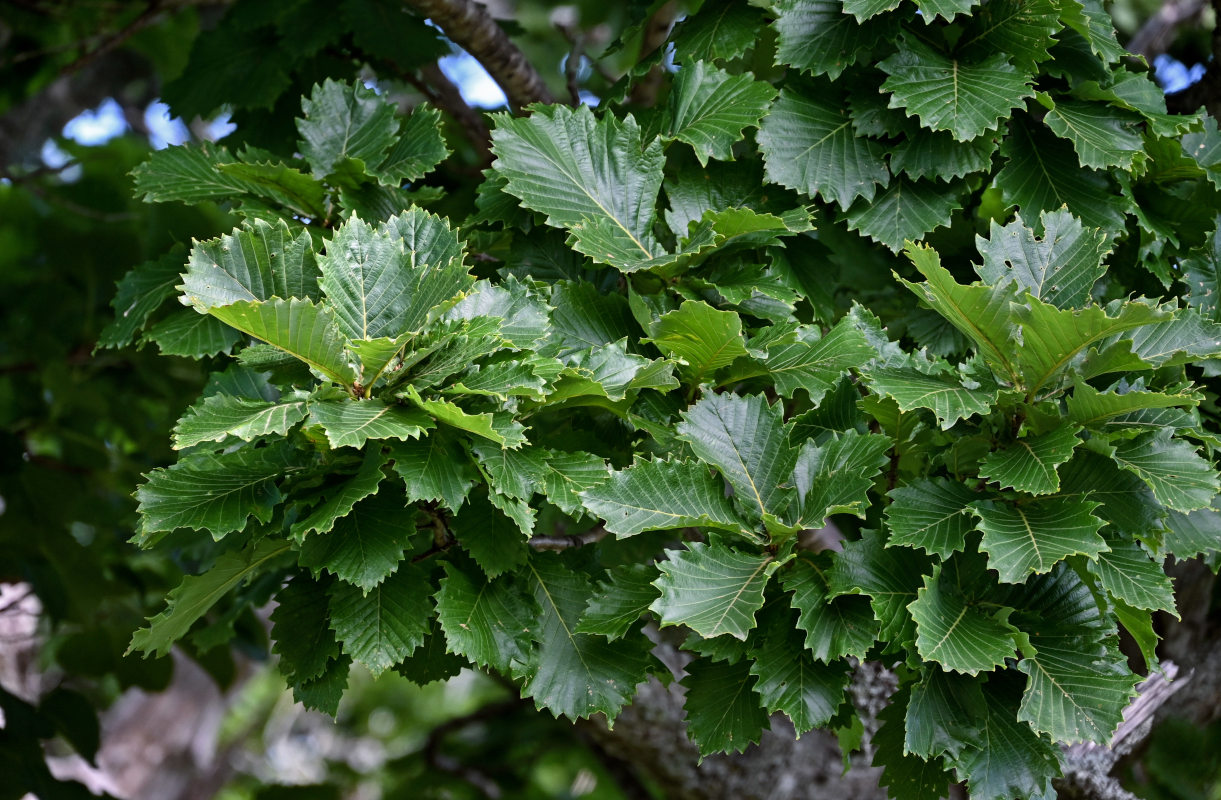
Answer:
(211, 493)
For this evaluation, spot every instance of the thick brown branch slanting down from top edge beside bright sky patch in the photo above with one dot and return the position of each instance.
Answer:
(472, 27)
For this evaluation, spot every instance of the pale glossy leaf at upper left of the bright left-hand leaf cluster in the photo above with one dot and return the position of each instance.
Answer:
(252, 264)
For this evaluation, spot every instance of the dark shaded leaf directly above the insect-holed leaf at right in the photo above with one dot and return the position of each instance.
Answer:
(1042, 174)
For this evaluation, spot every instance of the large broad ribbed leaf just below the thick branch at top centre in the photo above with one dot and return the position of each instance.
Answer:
(574, 168)
